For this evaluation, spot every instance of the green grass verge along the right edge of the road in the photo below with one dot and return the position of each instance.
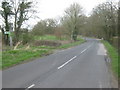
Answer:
(113, 54)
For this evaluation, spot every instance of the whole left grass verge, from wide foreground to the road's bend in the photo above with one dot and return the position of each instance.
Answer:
(14, 57)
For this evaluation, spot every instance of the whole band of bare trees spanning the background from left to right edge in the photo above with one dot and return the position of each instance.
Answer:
(103, 23)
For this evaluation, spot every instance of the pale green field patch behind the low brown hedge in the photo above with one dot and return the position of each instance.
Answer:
(49, 37)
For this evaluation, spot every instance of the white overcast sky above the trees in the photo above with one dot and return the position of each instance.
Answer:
(55, 8)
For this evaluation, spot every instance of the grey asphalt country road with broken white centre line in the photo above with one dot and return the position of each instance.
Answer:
(83, 66)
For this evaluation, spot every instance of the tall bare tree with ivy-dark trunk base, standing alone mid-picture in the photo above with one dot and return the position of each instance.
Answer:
(71, 20)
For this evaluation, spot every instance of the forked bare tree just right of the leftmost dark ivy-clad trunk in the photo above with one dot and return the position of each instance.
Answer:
(22, 8)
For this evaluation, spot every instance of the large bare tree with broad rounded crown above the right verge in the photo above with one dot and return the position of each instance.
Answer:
(104, 19)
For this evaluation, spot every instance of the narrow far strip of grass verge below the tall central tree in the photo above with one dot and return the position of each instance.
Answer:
(71, 44)
